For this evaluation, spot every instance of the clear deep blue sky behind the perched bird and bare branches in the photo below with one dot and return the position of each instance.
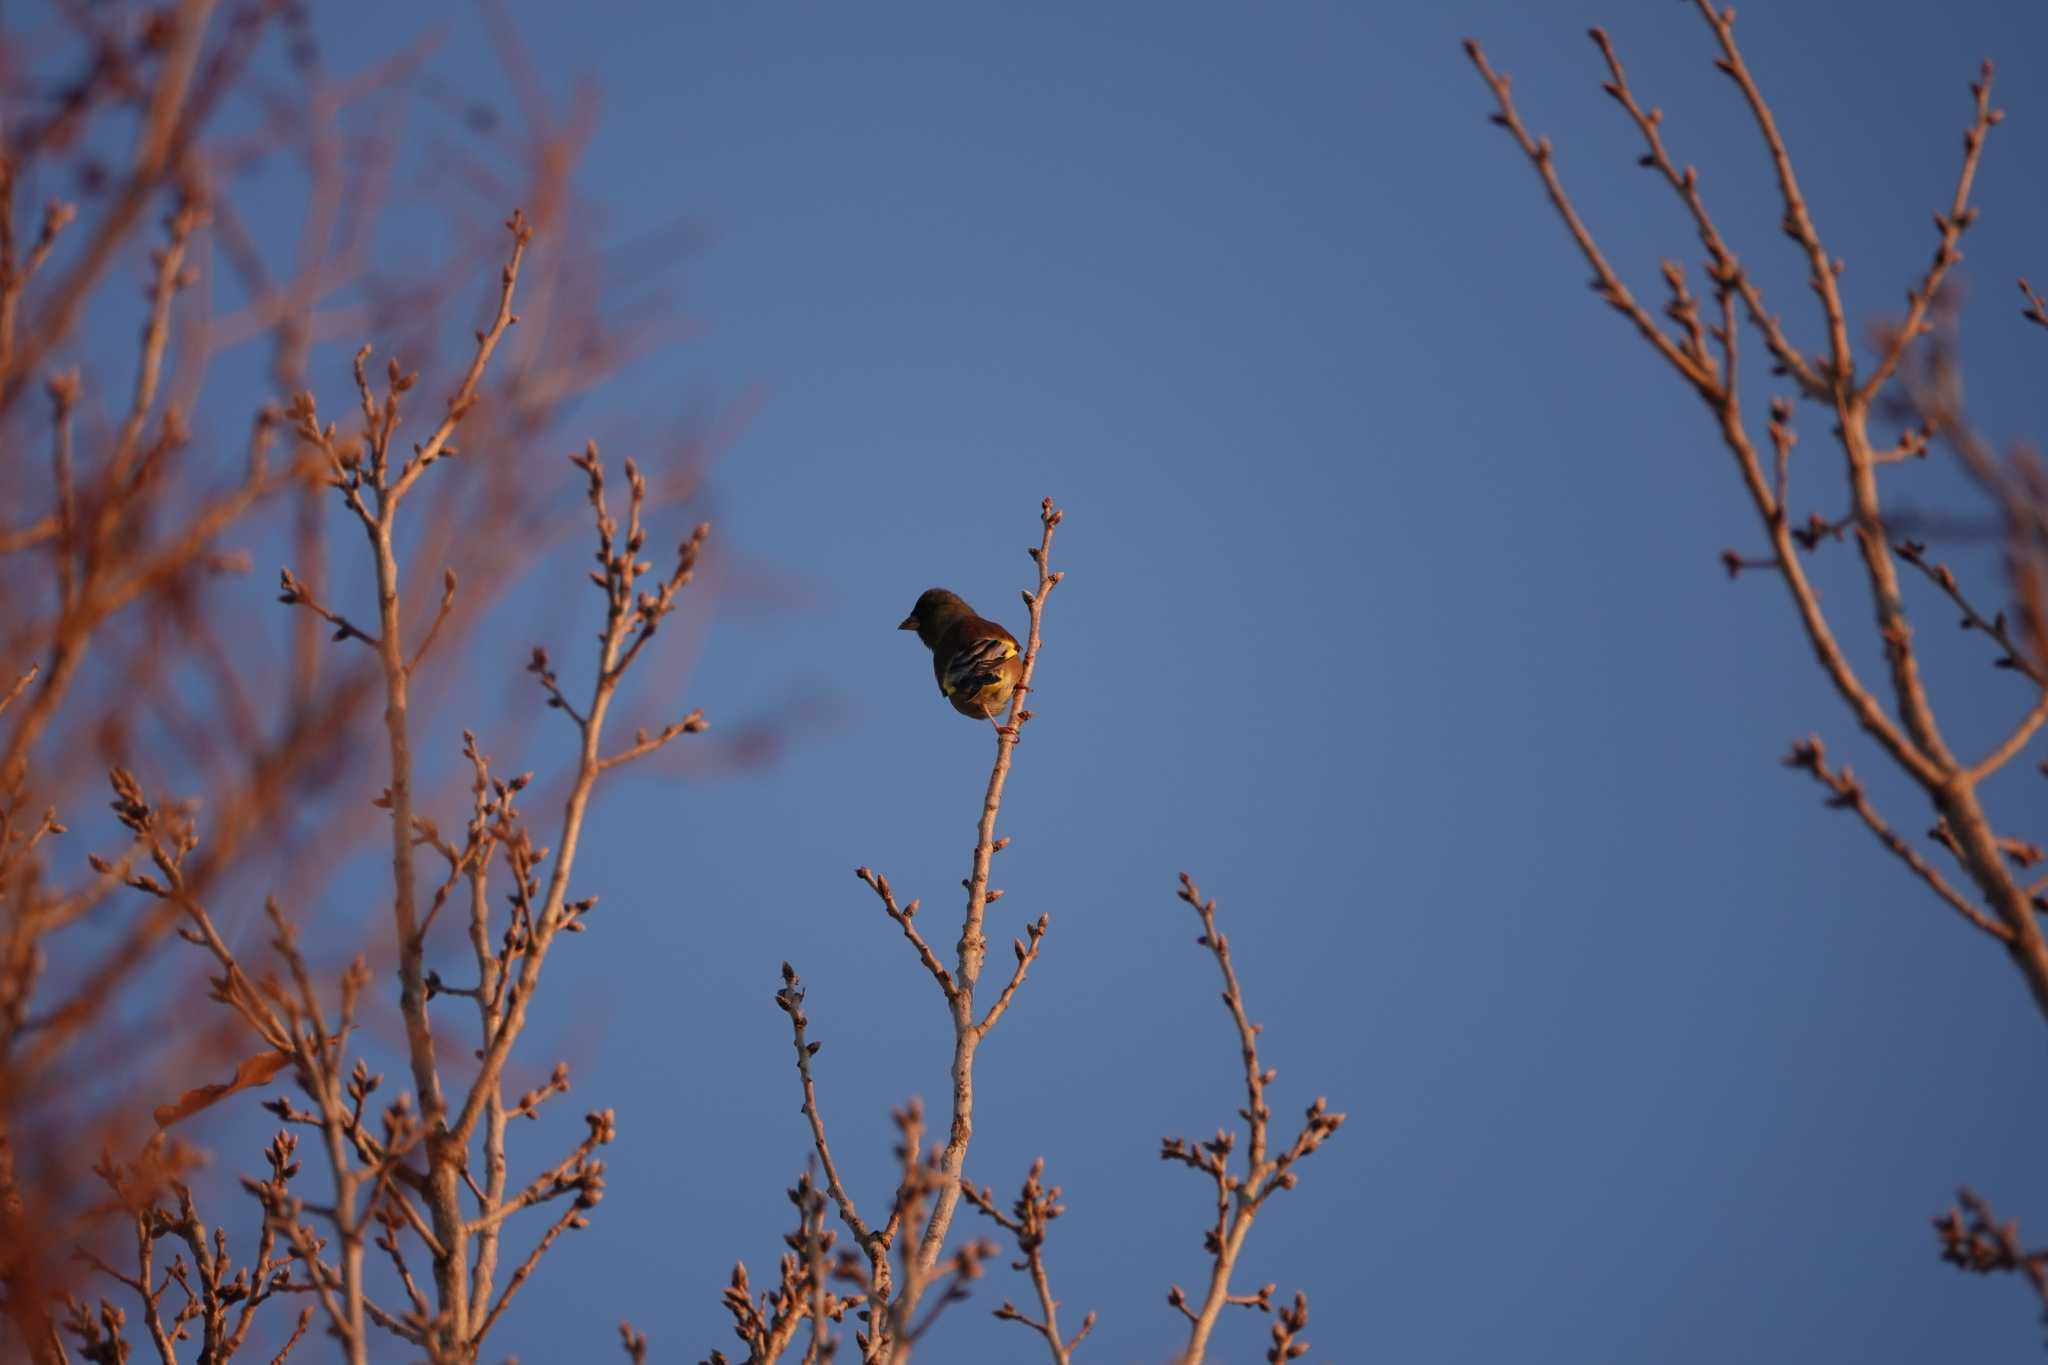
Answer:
(1394, 615)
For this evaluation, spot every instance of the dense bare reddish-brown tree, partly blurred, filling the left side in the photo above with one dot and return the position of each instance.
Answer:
(124, 660)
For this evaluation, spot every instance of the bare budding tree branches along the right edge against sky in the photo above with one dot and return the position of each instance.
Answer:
(1908, 384)
